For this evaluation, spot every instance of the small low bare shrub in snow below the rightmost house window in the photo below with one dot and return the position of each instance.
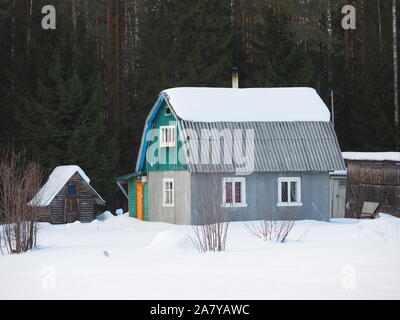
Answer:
(270, 228)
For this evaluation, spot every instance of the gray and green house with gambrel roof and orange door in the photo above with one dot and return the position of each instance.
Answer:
(253, 152)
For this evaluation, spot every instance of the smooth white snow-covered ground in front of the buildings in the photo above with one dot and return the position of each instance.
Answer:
(343, 259)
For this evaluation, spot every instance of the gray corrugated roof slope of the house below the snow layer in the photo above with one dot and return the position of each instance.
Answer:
(278, 146)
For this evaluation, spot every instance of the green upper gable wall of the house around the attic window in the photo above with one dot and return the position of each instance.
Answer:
(168, 153)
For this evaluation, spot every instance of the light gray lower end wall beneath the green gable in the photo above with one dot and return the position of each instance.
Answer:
(179, 214)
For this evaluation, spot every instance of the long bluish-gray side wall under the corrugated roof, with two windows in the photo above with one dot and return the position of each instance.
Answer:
(262, 195)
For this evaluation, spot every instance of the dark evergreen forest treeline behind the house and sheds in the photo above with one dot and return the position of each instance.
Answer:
(81, 93)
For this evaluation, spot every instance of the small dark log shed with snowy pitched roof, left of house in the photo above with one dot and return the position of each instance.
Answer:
(67, 196)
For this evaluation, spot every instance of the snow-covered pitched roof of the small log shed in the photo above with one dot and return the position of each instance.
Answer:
(57, 179)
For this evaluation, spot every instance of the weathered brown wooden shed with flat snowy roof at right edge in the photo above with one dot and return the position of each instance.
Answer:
(373, 180)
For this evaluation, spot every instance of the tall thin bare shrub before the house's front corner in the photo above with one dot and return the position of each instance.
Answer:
(211, 227)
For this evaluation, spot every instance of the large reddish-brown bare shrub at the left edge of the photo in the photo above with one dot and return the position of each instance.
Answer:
(19, 183)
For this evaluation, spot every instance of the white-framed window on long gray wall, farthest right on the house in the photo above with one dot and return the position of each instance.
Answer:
(289, 192)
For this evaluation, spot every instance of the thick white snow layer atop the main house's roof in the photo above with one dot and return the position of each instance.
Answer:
(251, 104)
